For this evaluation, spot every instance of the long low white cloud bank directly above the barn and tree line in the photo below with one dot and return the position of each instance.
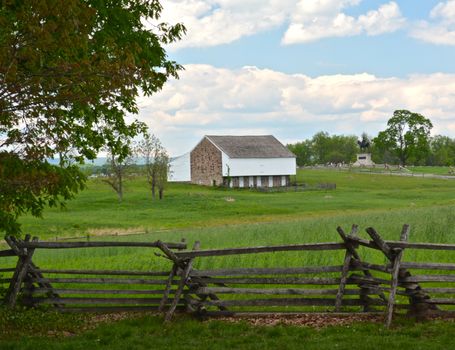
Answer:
(209, 100)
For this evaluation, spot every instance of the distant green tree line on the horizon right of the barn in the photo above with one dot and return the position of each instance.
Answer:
(405, 141)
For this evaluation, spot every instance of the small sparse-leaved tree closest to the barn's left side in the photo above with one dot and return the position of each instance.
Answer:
(156, 162)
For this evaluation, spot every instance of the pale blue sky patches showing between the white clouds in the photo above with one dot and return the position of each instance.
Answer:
(389, 54)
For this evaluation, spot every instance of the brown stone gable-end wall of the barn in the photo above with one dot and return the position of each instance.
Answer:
(206, 164)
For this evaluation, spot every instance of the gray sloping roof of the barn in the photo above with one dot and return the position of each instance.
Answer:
(264, 146)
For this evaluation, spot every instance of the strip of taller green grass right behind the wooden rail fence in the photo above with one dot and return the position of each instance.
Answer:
(434, 224)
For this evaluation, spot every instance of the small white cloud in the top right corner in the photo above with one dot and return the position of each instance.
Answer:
(441, 29)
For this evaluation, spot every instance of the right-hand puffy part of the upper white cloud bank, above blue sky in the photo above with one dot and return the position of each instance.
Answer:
(311, 23)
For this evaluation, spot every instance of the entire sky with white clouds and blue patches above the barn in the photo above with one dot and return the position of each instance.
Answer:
(292, 68)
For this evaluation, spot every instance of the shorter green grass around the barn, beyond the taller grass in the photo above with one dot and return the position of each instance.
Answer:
(97, 211)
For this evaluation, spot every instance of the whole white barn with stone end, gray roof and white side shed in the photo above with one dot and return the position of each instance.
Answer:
(236, 161)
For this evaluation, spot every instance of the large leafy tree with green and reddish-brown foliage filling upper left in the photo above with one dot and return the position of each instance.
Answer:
(70, 71)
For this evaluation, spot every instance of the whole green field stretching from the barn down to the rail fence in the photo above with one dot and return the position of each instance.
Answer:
(198, 213)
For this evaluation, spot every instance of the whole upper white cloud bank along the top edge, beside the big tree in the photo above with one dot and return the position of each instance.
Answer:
(216, 22)
